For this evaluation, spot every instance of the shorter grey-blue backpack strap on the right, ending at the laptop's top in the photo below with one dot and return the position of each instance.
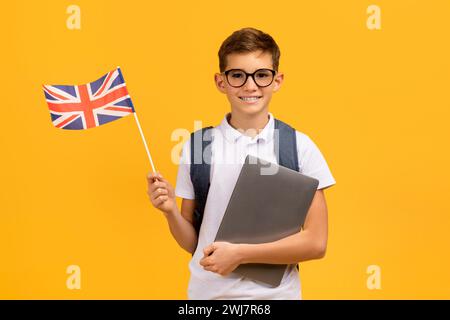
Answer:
(285, 144)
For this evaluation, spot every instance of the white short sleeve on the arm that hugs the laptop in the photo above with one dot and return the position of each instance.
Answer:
(312, 163)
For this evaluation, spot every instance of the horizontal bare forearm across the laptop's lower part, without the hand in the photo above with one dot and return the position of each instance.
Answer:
(299, 247)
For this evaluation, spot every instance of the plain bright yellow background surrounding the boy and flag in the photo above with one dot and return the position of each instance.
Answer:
(375, 102)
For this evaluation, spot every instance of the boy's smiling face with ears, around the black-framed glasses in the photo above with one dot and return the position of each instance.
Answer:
(243, 99)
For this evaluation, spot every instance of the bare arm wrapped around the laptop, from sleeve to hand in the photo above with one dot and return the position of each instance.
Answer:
(311, 243)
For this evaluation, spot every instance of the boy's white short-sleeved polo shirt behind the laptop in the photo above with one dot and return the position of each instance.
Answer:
(229, 148)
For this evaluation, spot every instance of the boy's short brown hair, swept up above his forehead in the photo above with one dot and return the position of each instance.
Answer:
(248, 40)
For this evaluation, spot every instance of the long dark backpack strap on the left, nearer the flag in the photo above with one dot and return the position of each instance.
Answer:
(200, 171)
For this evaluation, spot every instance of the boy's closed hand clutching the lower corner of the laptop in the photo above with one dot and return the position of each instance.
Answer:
(221, 258)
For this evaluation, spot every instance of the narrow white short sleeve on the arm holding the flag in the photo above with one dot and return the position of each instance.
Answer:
(184, 188)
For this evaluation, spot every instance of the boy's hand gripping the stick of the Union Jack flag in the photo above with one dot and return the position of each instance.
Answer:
(161, 193)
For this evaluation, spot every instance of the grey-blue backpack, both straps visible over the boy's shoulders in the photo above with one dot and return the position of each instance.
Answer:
(285, 143)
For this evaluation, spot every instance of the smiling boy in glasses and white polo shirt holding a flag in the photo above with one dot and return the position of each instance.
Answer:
(249, 75)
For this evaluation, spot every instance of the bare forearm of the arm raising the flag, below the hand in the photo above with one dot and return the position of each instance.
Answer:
(182, 230)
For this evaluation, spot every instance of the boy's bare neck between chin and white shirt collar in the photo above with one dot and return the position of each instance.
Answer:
(250, 125)
